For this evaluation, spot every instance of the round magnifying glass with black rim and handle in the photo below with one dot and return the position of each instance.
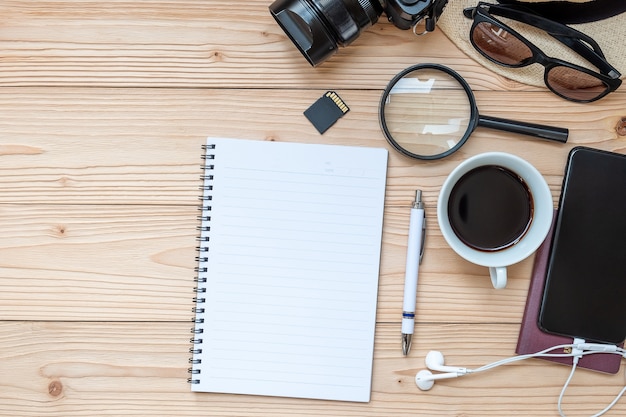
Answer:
(428, 111)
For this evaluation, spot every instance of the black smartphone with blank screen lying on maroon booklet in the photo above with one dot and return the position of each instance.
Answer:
(585, 290)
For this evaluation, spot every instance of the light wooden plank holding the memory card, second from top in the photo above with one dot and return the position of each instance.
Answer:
(142, 146)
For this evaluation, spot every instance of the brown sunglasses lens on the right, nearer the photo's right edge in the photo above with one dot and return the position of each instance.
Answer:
(574, 84)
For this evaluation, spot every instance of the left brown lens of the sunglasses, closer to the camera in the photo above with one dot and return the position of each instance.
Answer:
(500, 45)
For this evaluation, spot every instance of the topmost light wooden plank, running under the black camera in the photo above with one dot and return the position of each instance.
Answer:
(193, 43)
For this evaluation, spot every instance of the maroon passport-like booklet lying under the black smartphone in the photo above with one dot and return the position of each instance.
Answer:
(532, 339)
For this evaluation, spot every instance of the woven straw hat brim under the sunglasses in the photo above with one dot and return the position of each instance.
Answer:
(608, 33)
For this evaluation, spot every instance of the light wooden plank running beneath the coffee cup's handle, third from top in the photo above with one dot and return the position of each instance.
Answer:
(136, 263)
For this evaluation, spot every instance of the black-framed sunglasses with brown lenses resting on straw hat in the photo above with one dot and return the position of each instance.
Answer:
(504, 46)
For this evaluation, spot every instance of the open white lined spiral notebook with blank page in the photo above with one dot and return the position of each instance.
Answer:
(288, 269)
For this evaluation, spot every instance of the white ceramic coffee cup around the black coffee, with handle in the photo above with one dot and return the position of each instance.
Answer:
(542, 210)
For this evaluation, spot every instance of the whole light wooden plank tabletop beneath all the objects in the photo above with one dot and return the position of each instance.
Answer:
(104, 107)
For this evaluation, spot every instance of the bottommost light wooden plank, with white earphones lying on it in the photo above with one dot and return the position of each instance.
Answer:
(135, 369)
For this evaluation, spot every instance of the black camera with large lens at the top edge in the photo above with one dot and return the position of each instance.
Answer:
(317, 27)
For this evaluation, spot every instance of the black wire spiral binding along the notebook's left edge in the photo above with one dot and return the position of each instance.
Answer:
(203, 241)
